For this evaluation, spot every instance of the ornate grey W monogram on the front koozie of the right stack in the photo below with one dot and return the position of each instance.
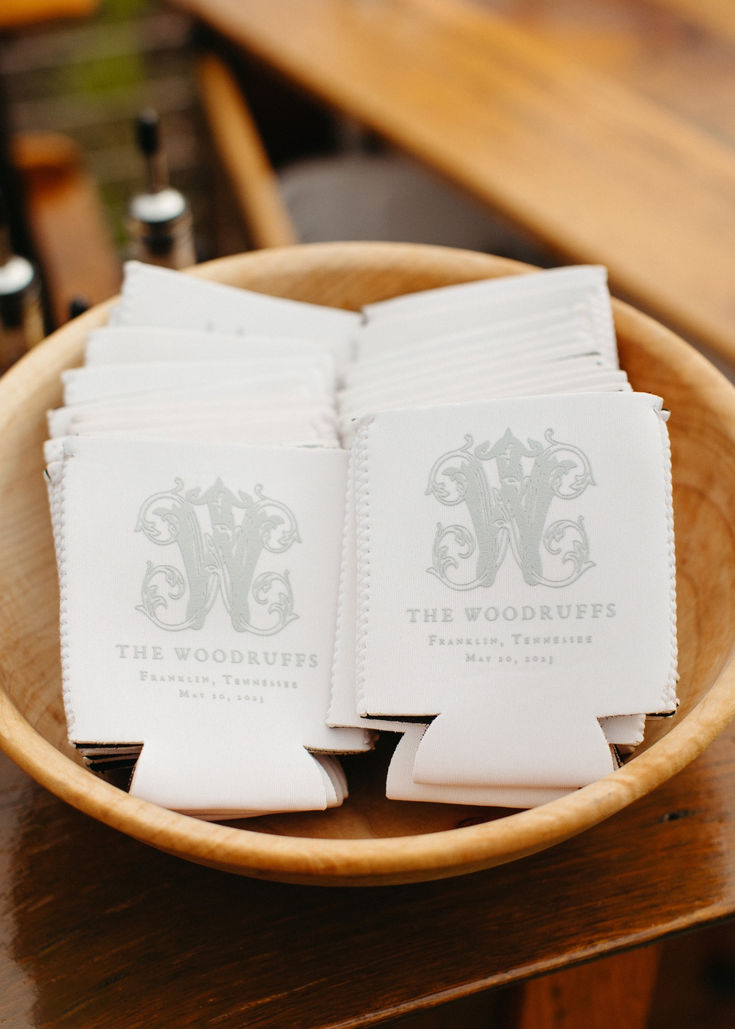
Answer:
(508, 490)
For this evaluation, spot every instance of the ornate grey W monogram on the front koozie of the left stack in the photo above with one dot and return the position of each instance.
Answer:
(221, 539)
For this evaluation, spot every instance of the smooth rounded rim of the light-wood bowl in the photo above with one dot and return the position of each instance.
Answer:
(370, 861)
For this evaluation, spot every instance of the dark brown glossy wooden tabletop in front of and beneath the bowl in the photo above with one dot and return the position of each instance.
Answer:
(98, 931)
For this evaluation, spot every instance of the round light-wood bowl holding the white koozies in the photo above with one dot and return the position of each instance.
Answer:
(371, 840)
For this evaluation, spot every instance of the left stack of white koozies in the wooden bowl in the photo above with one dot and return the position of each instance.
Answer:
(197, 488)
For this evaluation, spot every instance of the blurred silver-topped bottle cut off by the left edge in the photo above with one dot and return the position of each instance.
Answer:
(21, 311)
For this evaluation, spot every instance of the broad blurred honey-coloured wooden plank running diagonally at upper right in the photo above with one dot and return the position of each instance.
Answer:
(586, 162)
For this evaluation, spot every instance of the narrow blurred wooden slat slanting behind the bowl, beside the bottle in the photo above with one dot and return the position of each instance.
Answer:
(247, 164)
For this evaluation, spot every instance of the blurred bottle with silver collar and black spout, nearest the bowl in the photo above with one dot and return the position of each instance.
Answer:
(159, 221)
